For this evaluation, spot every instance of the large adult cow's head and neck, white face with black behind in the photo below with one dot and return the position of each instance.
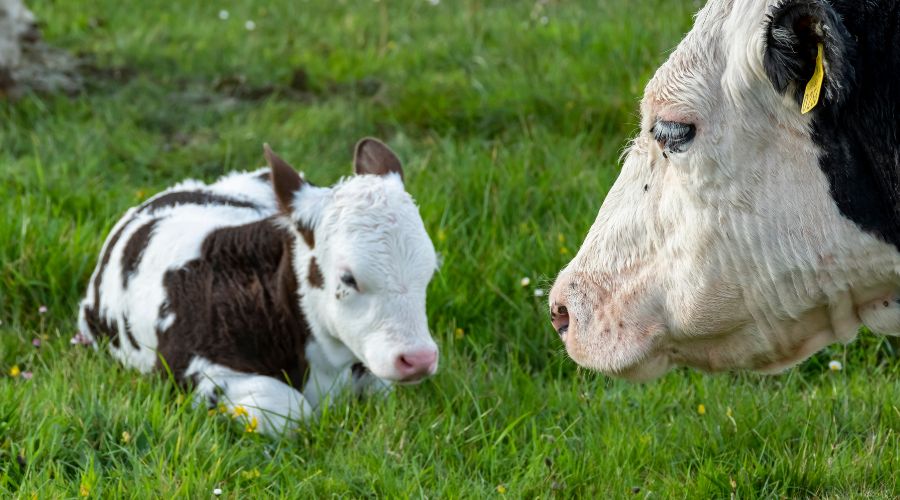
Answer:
(729, 240)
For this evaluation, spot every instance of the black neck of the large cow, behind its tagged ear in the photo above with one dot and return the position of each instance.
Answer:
(860, 139)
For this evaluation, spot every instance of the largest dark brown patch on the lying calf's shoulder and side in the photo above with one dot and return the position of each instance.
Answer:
(237, 305)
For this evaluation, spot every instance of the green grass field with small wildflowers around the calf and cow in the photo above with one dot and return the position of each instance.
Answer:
(510, 116)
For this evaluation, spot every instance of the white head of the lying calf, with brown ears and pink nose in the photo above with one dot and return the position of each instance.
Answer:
(364, 261)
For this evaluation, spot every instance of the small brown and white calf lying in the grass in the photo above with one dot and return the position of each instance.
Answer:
(261, 284)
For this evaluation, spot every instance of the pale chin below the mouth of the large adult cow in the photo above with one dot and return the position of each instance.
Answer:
(637, 360)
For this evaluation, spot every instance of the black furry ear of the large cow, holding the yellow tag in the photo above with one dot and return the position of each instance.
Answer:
(794, 30)
